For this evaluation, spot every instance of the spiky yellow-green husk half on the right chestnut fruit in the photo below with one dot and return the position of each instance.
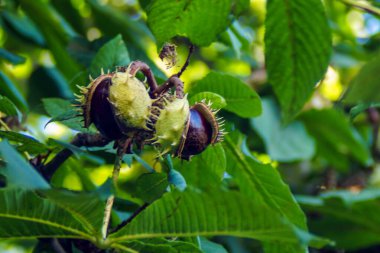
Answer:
(170, 124)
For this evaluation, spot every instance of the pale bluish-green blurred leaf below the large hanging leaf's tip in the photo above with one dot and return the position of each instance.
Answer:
(283, 143)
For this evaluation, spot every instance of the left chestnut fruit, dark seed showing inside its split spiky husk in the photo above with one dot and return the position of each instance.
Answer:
(117, 103)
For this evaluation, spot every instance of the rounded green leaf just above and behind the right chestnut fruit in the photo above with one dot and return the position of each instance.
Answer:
(240, 98)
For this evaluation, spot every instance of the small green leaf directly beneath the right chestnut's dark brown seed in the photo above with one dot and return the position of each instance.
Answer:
(206, 169)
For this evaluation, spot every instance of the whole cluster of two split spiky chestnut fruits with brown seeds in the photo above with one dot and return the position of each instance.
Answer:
(122, 107)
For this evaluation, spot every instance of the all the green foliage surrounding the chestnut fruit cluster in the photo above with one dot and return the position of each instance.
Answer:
(296, 81)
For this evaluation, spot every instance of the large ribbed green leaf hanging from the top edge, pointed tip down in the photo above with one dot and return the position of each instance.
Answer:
(298, 46)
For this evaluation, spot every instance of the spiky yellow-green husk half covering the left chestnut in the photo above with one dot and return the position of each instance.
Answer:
(131, 100)
